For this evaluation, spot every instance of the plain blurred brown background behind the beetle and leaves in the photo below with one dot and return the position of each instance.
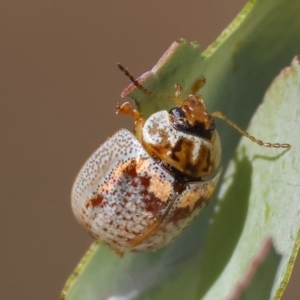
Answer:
(59, 85)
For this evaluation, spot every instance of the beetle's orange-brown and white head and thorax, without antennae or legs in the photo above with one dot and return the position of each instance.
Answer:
(184, 138)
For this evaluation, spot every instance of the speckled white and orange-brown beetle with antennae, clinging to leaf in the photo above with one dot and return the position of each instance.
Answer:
(139, 192)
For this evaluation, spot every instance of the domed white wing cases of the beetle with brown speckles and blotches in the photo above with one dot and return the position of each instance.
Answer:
(121, 191)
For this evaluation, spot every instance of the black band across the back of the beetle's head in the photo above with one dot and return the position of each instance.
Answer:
(180, 123)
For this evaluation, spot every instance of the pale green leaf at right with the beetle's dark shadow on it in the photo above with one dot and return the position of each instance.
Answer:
(259, 196)
